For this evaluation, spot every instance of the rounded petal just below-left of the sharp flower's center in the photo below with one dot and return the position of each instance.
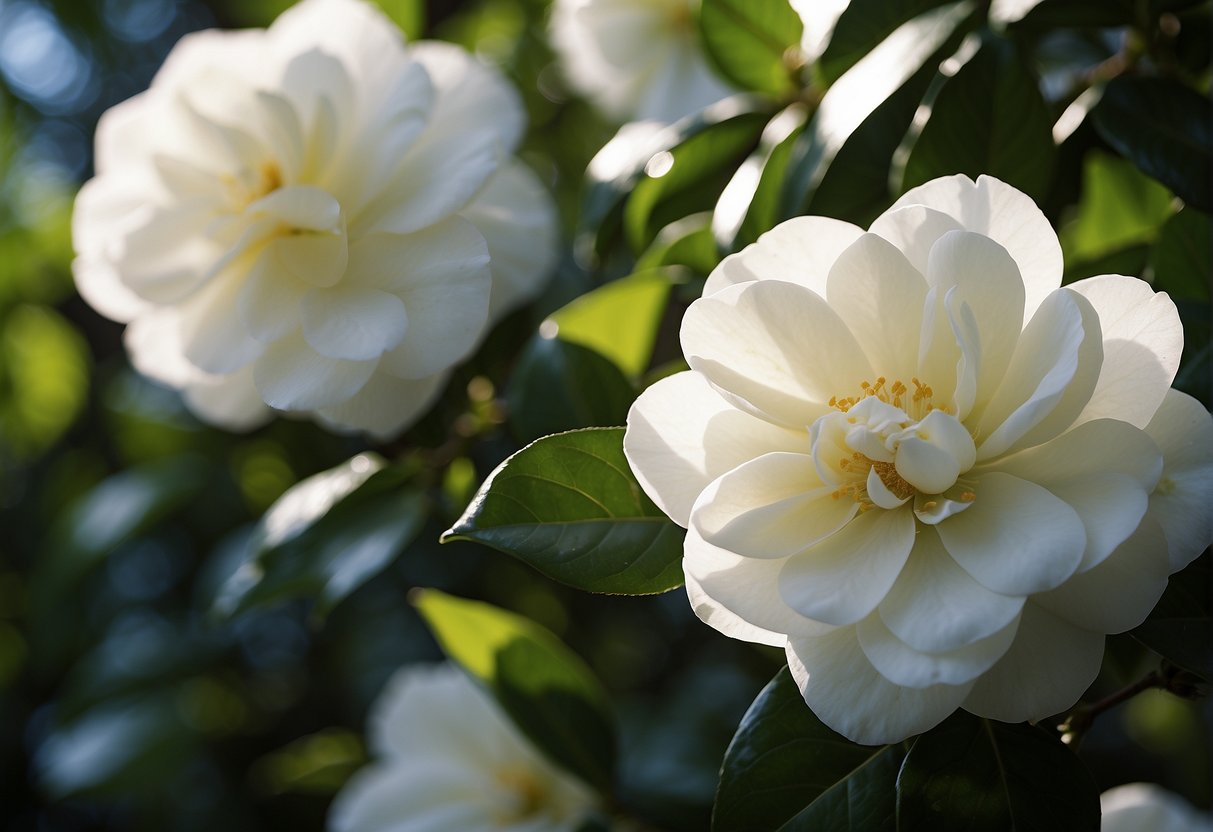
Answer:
(844, 578)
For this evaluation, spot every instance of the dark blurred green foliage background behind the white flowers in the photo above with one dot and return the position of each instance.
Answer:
(129, 700)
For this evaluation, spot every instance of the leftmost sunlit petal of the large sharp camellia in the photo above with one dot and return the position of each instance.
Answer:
(681, 436)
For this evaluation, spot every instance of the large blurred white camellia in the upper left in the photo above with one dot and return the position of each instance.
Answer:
(312, 218)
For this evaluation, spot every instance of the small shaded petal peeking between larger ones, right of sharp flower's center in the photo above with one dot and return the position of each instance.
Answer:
(1111, 506)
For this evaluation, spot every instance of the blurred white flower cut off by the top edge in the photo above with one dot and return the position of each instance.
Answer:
(637, 60)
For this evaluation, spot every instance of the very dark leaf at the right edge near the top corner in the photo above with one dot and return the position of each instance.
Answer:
(1165, 129)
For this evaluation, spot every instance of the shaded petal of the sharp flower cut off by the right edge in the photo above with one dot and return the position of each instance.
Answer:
(1181, 503)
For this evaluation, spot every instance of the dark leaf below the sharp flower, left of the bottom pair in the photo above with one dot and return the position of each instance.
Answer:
(787, 771)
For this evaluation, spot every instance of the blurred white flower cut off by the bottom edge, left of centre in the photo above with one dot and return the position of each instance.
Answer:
(451, 760)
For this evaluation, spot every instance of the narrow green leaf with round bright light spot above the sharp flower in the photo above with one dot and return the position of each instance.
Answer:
(680, 181)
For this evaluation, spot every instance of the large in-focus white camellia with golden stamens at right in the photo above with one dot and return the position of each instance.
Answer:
(913, 459)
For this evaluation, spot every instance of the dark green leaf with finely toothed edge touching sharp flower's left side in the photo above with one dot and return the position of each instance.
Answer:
(570, 506)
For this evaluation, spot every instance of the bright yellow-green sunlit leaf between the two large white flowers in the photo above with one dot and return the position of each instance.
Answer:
(618, 321)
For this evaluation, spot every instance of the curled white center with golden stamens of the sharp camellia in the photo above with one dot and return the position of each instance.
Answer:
(891, 445)
